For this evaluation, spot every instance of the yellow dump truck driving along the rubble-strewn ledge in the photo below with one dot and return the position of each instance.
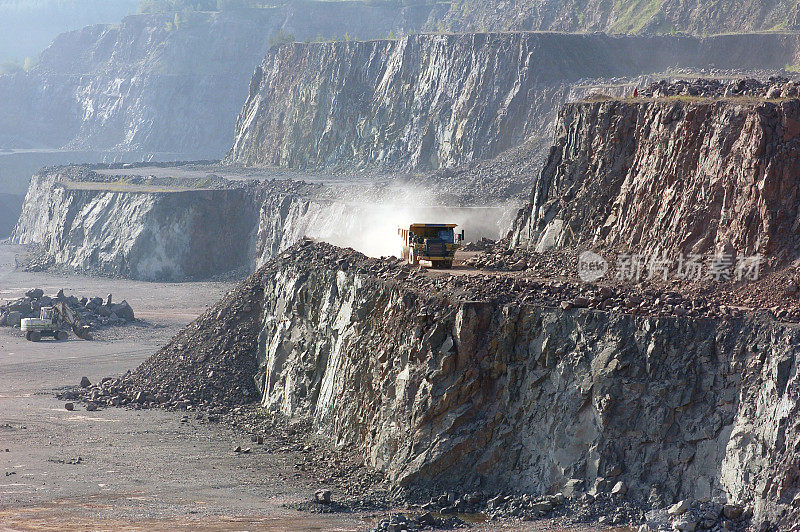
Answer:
(431, 245)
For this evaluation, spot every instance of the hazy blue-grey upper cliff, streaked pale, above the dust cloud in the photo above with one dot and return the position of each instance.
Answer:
(431, 101)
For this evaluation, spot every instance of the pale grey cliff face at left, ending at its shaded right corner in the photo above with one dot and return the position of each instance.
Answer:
(141, 234)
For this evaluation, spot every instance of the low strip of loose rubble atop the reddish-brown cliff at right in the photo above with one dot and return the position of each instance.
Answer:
(772, 88)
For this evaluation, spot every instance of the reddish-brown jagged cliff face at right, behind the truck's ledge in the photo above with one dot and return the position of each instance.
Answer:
(670, 177)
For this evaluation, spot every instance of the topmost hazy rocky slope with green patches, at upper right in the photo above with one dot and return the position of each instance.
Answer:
(625, 16)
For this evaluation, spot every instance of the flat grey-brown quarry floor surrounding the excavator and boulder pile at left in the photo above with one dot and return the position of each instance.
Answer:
(117, 468)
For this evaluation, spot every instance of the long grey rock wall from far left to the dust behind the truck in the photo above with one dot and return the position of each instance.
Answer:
(92, 223)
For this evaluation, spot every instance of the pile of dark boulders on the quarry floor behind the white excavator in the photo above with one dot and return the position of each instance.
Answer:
(93, 312)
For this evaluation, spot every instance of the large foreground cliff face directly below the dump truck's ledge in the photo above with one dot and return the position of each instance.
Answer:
(462, 394)
